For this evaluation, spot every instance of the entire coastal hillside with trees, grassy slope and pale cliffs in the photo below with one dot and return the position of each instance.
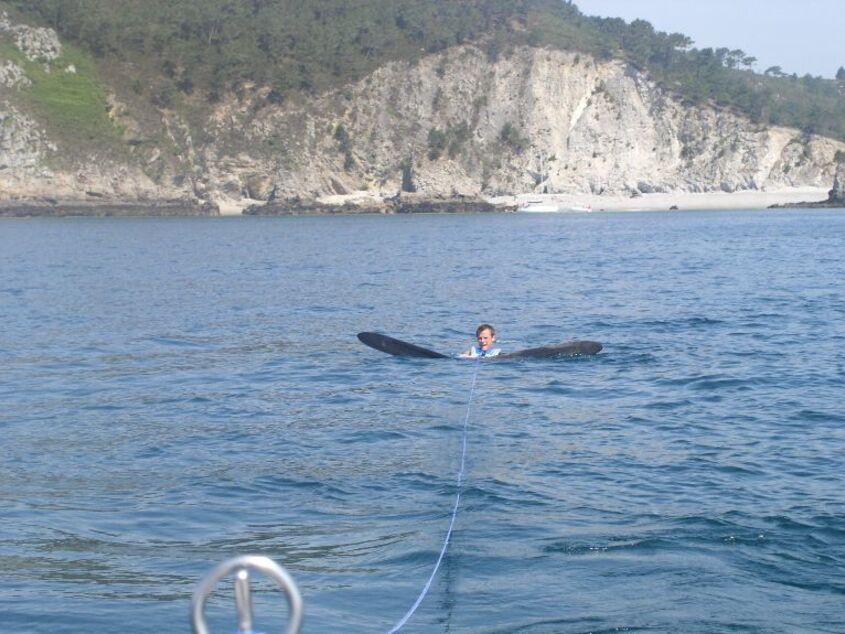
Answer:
(262, 100)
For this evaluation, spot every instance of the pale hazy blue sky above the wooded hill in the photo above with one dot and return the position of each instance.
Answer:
(800, 36)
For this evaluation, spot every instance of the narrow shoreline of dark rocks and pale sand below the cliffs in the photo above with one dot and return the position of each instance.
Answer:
(369, 203)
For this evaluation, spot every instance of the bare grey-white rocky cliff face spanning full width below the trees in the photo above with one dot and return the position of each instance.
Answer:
(453, 124)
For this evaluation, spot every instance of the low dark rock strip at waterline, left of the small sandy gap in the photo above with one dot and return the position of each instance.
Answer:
(49, 207)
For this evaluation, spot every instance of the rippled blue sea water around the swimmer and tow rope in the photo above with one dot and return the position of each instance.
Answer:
(174, 392)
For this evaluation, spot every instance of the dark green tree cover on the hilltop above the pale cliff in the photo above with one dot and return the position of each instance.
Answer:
(186, 51)
